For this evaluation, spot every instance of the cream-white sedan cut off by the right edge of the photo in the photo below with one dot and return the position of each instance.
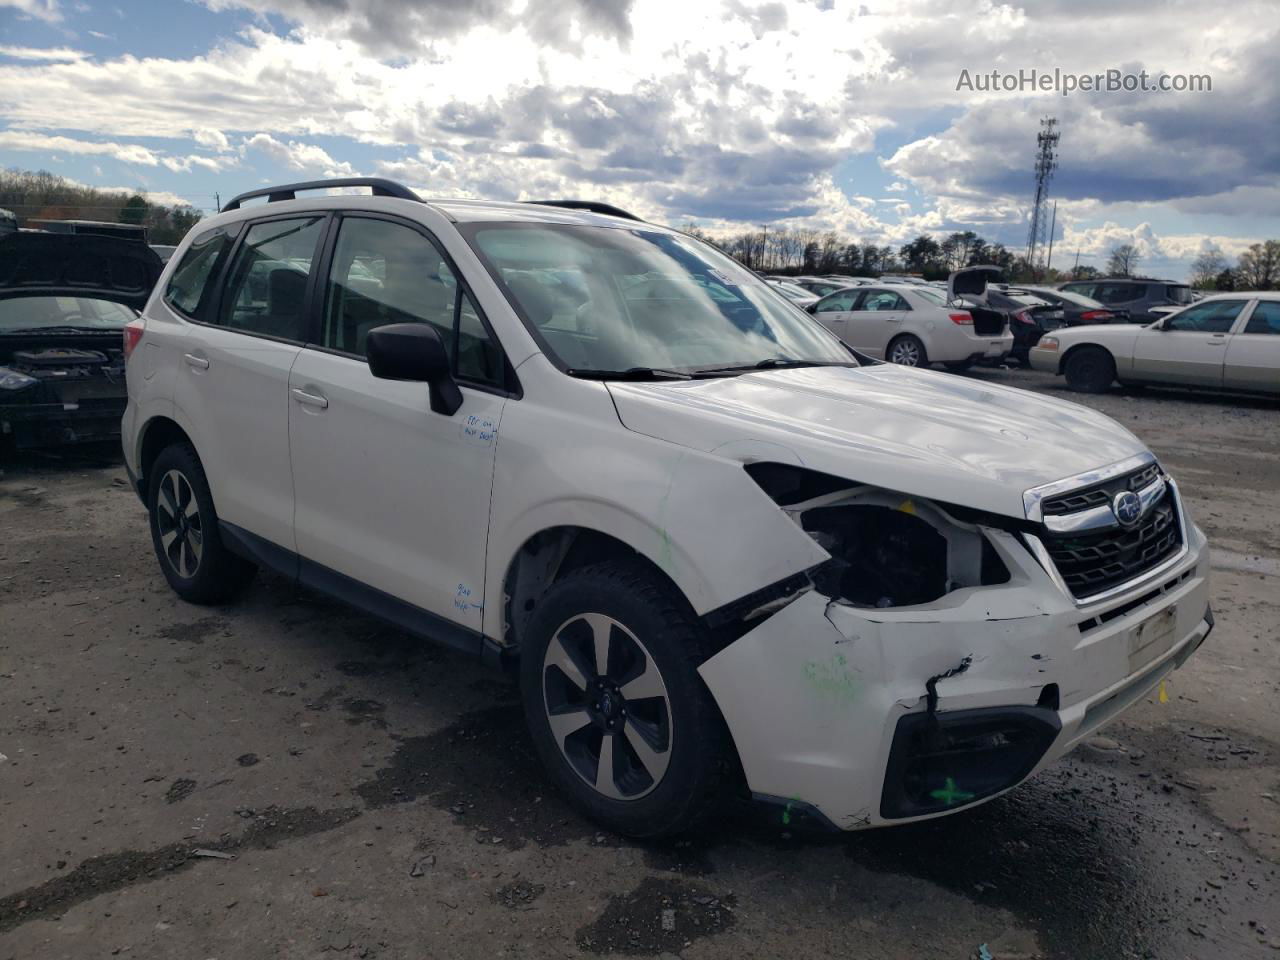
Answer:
(1229, 341)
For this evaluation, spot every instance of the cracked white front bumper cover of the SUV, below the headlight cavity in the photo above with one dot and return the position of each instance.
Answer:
(817, 694)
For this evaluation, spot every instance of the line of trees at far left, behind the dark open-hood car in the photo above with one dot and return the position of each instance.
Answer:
(47, 196)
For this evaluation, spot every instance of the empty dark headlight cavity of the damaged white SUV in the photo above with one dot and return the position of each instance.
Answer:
(888, 550)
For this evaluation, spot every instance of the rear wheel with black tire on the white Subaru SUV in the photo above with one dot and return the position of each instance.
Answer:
(191, 554)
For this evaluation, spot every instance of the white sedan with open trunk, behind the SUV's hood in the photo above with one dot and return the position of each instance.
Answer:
(918, 326)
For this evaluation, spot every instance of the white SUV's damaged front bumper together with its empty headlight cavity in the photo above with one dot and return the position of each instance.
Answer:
(932, 662)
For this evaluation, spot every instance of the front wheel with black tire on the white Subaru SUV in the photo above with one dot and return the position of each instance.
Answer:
(682, 726)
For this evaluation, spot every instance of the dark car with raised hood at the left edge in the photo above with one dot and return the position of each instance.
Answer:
(65, 304)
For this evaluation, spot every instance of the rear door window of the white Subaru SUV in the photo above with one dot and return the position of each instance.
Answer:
(267, 289)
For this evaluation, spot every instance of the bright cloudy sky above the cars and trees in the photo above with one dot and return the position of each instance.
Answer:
(820, 113)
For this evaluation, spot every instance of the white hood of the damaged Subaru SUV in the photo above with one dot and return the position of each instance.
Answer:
(929, 435)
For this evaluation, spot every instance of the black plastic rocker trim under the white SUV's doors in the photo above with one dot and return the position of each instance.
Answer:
(358, 595)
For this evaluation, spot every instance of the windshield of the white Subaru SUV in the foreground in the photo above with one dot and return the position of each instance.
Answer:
(602, 299)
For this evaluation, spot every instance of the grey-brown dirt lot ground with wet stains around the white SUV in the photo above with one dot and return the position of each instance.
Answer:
(286, 779)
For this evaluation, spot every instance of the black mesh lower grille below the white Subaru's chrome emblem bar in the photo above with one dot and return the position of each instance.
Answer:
(1094, 563)
